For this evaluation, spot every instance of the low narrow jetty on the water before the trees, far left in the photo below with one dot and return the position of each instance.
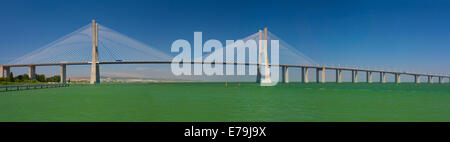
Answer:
(6, 88)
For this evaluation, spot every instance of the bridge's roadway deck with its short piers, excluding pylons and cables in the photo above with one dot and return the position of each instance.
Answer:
(284, 67)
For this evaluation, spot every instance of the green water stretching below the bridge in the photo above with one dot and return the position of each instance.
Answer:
(215, 102)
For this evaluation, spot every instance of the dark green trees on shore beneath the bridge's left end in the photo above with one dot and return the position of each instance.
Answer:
(24, 78)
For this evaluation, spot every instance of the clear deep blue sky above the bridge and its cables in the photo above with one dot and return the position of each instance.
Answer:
(403, 34)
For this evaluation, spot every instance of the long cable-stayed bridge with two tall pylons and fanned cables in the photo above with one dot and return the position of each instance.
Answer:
(97, 45)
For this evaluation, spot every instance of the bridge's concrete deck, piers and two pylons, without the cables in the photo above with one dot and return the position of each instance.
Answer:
(305, 69)
